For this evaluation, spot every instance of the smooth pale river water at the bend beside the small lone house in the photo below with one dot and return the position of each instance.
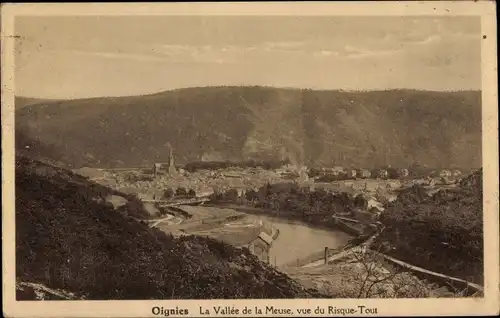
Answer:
(298, 240)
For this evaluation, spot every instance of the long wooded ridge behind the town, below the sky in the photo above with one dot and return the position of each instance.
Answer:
(318, 128)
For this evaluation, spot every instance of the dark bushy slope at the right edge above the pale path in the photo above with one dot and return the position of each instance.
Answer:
(443, 233)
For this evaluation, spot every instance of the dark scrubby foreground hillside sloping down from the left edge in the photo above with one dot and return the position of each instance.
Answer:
(67, 239)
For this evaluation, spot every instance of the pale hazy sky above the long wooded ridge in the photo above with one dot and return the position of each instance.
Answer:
(90, 56)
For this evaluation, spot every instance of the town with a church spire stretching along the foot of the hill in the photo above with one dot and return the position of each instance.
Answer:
(163, 180)
